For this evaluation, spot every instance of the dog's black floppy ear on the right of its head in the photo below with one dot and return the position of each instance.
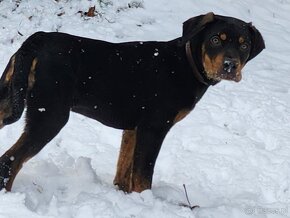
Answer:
(257, 42)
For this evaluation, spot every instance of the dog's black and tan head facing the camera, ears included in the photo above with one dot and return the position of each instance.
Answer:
(227, 44)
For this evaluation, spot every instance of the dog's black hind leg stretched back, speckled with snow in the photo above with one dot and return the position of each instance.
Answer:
(42, 124)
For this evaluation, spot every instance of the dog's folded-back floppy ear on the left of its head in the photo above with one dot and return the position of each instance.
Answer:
(194, 25)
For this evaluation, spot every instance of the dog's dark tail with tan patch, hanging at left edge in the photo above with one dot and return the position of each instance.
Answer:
(13, 86)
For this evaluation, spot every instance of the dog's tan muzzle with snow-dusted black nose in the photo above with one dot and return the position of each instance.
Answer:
(222, 68)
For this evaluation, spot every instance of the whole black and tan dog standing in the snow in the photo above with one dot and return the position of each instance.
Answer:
(143, 88)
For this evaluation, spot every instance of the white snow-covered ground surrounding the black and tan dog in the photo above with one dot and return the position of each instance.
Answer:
(232, 152)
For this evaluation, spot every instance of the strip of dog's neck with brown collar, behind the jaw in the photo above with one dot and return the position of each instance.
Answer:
(198, 74)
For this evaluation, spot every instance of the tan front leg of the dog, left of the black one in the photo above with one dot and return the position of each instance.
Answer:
(123, 176)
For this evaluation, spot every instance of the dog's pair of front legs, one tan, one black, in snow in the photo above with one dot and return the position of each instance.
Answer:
(138, 153)
